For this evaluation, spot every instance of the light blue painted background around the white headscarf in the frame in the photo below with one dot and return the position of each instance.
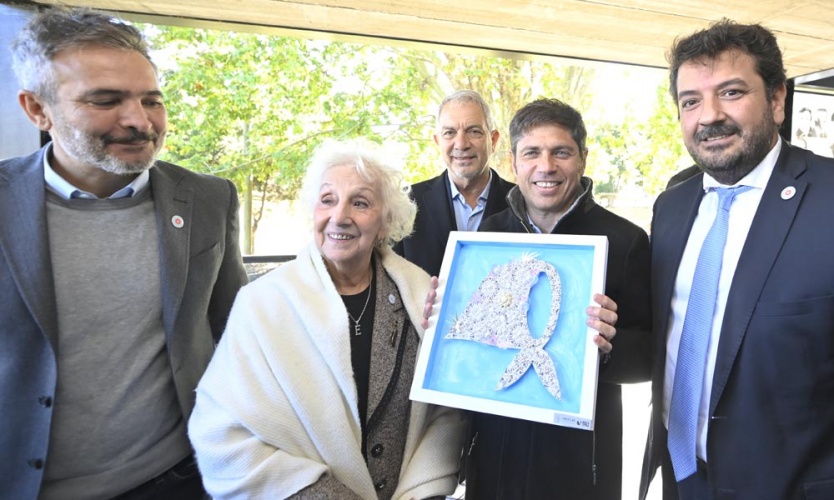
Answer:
(473, 369)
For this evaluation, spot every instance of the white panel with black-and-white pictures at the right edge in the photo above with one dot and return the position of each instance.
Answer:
(812, 122)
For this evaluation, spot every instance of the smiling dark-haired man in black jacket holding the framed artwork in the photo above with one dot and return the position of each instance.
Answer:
(518, 459)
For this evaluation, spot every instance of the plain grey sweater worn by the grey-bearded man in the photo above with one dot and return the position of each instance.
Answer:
(117, 420)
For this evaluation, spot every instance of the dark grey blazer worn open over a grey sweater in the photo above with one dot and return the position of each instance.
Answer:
(201, 272)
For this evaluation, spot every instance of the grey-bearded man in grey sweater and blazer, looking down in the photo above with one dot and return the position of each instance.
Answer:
(117, 273)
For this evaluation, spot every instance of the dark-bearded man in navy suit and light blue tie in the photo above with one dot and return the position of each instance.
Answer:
(765, 422)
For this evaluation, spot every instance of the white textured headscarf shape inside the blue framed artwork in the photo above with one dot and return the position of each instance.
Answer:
(496, 315)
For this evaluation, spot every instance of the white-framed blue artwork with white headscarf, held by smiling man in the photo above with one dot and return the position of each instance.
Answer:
(510, 336)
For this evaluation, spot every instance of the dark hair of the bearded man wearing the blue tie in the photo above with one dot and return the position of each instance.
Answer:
(752, 39)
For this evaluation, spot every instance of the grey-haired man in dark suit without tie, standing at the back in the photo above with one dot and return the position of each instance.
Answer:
(467, 192)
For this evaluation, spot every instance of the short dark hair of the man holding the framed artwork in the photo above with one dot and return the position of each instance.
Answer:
(548, 112)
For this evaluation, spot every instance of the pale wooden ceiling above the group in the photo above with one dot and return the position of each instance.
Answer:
(628, 31)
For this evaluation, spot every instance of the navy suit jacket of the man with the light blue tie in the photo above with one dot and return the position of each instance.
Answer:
(771, 413)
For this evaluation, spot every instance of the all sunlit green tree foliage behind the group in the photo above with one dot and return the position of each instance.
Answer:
(252, 108)
